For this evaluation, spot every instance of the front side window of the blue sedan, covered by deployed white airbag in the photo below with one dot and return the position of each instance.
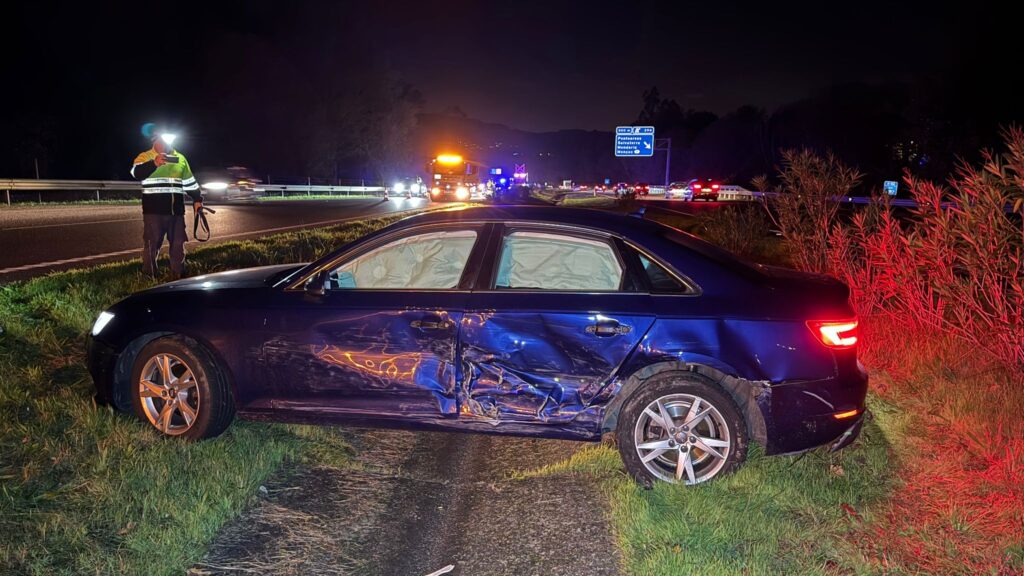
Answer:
(426, 262)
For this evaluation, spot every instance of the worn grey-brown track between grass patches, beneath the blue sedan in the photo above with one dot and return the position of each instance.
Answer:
(413, 504)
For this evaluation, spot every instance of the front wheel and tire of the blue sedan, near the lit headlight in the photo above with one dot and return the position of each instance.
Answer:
(194, 403)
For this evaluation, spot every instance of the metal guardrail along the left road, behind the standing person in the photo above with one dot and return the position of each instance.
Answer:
(10, 186)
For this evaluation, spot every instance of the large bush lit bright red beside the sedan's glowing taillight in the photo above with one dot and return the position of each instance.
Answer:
(956, 268)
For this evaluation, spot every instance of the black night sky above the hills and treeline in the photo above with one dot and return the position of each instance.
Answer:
(89, 74)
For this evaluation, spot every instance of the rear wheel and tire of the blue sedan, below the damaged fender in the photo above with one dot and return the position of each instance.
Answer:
(641, 437)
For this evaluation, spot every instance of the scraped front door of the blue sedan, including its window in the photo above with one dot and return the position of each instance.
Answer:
(381, 341)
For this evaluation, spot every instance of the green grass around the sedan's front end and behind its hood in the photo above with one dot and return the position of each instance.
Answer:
(86, 490)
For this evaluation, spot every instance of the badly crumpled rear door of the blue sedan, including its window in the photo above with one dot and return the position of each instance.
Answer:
(558, 316)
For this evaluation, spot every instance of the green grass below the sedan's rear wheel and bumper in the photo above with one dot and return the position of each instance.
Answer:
(778, 515)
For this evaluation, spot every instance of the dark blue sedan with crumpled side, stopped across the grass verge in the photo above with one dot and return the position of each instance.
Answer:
(529, 321)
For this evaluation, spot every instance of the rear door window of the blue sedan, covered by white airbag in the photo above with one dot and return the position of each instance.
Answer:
(543, 261)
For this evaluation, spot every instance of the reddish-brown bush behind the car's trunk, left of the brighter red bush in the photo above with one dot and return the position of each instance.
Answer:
(804, 205)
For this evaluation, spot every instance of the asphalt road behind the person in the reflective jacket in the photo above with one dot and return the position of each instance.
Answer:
(38, 240)
